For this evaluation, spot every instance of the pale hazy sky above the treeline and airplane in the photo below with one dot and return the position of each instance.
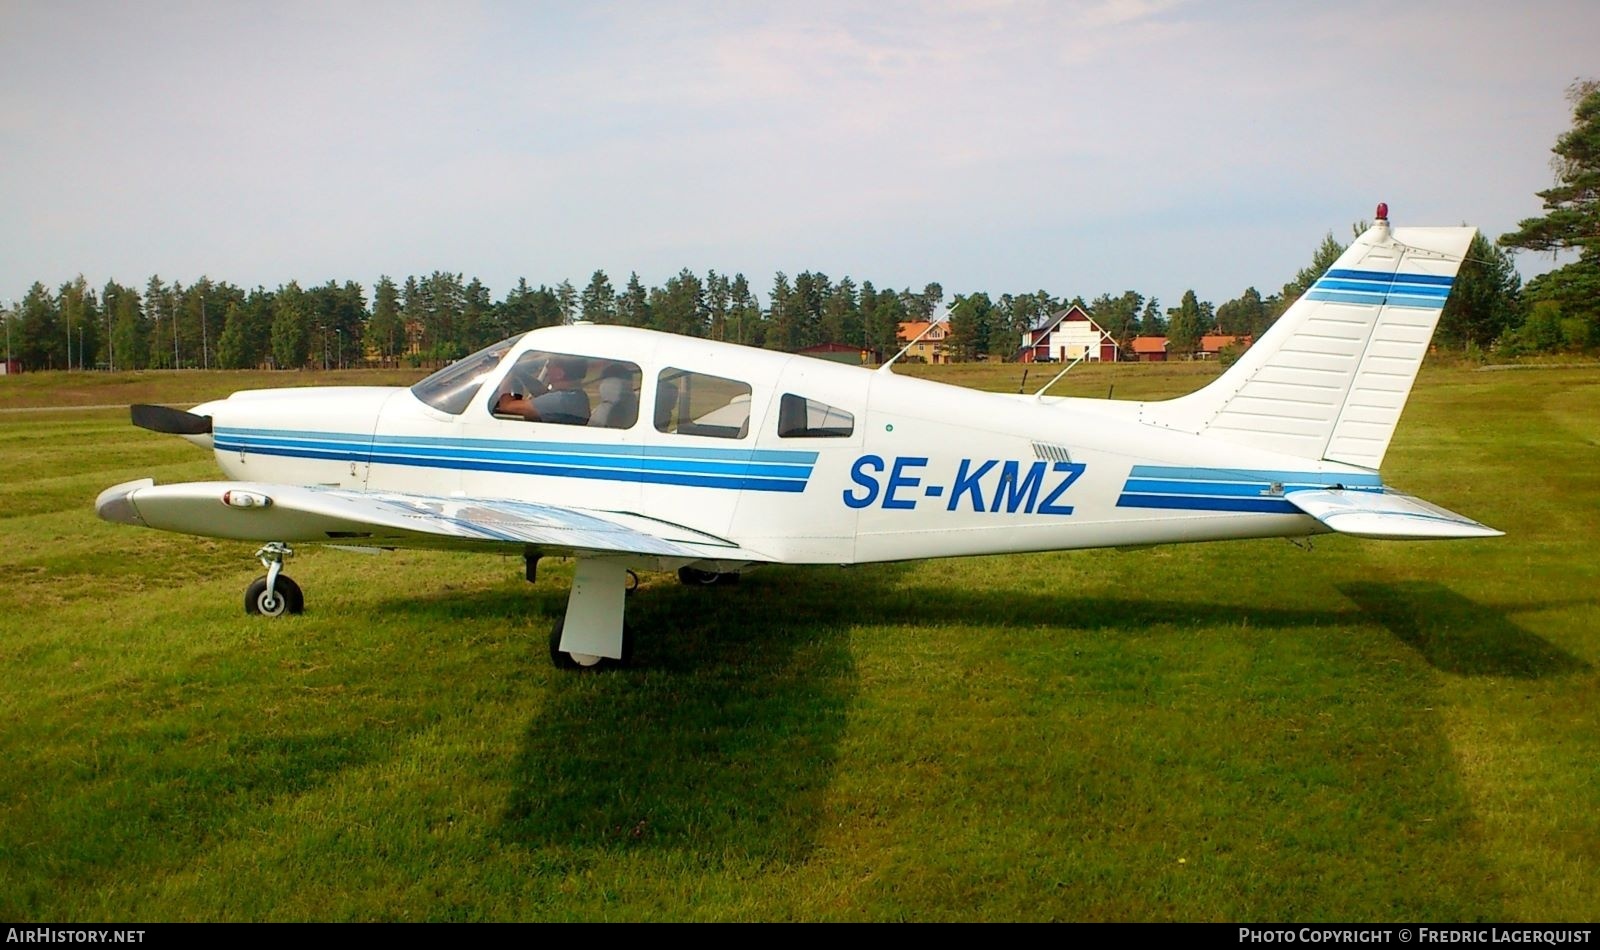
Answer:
(986, 145)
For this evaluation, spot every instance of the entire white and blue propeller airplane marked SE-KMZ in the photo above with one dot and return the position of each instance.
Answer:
(638, 450)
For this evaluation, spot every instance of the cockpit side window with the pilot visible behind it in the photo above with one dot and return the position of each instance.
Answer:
(570, 389)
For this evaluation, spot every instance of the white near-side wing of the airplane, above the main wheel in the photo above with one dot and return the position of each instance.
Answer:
(252, 511)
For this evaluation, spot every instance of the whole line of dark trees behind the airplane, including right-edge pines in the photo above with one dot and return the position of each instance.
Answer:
(442, 317)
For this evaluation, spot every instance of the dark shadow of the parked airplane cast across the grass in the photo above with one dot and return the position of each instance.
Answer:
(726, 741)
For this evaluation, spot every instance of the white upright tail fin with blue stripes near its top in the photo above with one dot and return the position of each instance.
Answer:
(1329, 380)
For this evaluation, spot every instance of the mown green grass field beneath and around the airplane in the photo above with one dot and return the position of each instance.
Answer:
(1236, 732)
